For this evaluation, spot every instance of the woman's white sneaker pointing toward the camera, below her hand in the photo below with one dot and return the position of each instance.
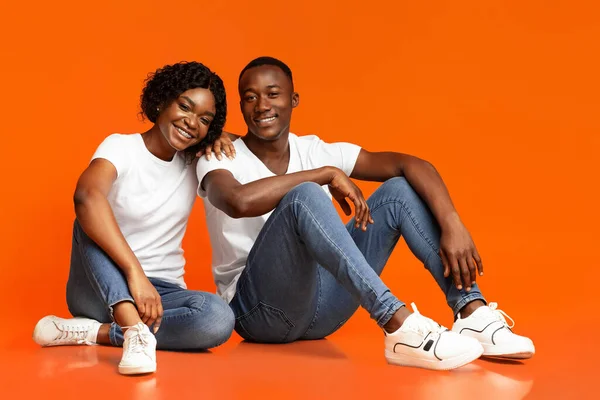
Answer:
(139, 351)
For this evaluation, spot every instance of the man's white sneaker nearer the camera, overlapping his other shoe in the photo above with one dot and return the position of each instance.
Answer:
(422, 342)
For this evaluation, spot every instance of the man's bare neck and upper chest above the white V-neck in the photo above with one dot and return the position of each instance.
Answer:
(275, 154)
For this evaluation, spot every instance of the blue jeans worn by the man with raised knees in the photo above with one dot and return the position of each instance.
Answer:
(307, 273)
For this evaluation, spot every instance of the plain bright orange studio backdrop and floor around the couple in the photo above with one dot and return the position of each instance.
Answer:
(501, 96)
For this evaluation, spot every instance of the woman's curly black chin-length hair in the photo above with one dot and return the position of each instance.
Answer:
(167, 83)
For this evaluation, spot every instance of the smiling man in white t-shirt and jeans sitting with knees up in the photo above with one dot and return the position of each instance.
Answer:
(291, 270)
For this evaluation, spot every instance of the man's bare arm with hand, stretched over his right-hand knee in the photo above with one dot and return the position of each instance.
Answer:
(457, 248)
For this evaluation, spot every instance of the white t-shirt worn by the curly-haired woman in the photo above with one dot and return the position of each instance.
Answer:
(151, 200)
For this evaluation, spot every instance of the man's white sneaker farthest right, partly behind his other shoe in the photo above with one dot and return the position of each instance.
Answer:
(488, 325)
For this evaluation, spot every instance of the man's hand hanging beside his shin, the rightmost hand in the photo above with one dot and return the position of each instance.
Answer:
(459, 255)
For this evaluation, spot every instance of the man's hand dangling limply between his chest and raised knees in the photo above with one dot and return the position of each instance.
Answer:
(341, 187)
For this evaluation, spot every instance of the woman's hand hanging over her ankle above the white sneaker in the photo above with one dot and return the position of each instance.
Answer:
(147, 299)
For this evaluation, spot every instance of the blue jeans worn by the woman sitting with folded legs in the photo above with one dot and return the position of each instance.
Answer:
(191, 320)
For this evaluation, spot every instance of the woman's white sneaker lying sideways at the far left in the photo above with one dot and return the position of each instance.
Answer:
(55, 331)
